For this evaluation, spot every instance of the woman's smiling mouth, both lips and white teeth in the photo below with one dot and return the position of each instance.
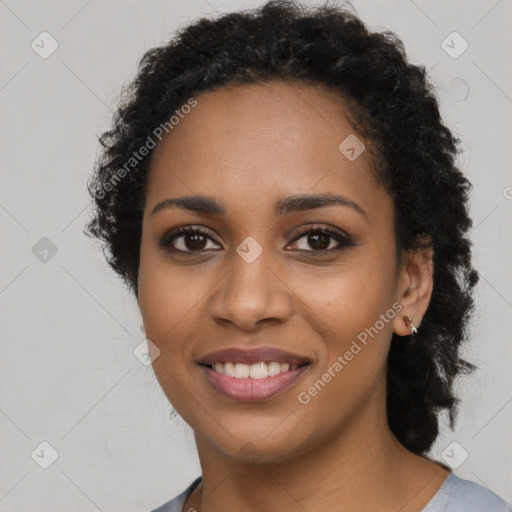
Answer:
(249, 375)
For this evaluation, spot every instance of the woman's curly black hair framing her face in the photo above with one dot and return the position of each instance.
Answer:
(392, 104)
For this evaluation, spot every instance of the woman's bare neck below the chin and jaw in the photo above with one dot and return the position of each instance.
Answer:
(364, 467)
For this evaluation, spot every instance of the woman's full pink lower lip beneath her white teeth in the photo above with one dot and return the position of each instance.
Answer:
(250, 390)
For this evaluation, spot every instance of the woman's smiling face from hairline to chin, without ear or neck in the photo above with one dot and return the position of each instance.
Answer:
(248, 269)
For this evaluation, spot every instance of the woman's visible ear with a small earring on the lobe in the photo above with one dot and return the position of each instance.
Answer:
(414, 285)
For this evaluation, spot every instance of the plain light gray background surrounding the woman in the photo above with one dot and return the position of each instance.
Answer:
(68, 374)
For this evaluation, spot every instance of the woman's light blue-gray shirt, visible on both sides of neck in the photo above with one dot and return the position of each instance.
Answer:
(455, 495)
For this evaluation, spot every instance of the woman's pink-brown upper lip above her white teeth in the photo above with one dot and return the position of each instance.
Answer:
(252, 356)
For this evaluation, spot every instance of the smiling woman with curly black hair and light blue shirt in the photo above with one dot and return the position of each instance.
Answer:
(279, 192)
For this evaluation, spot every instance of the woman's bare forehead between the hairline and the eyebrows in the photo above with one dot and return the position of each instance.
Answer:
(261, 141)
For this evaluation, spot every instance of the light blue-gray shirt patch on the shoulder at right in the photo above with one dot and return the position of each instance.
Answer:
(459, 495)
